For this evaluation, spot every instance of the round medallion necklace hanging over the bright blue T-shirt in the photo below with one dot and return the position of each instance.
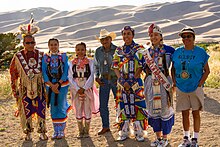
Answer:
(185, 61)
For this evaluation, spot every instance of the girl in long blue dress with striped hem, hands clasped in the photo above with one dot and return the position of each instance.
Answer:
(55, 72)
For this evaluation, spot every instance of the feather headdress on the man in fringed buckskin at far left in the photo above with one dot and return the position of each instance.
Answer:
(29, 29)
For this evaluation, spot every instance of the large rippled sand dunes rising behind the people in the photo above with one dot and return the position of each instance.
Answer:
(83, 25)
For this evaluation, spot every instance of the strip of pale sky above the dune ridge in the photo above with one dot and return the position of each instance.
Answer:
(10, 5)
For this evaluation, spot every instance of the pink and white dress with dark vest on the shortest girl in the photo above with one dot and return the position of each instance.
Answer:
(81, 74)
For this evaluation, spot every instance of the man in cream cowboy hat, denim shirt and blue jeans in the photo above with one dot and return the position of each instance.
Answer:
(105, 76)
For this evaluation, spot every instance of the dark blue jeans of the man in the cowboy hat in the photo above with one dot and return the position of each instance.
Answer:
(104, 93)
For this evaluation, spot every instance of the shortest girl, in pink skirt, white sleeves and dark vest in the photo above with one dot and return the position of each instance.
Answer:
(81, 77)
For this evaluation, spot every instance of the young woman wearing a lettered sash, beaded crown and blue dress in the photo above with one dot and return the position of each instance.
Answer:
(158, 96)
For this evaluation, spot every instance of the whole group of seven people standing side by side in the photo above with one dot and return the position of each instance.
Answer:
(141, 80)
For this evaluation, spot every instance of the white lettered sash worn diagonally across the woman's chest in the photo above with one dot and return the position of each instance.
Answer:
(155, 70)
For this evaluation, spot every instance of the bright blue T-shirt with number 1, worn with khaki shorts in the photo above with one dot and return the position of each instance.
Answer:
(192, 62)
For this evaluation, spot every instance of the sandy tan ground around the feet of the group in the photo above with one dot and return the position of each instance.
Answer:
(11, 134)
